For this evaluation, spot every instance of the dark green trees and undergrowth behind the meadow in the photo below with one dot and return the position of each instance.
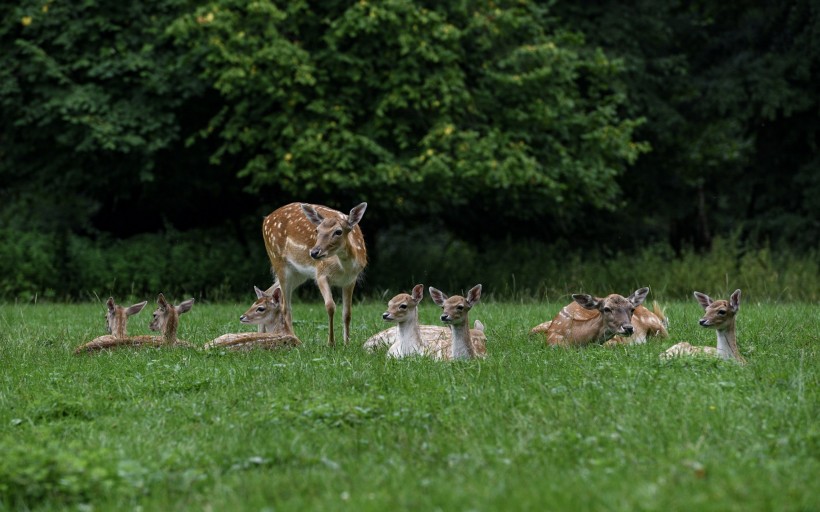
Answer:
(537, 146)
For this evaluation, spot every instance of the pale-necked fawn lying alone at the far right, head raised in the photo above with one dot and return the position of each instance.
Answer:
(720, 316)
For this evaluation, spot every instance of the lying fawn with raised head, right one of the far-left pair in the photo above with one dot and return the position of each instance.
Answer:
(165, 320)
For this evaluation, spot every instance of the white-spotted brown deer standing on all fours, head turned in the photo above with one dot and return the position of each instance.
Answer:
(311, 241)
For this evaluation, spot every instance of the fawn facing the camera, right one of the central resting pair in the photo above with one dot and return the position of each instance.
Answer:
(467, 343)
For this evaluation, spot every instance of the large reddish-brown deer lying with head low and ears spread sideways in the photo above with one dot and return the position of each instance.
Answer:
(598, 320)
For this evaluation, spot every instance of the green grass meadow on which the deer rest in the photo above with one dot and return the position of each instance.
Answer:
(315, 428)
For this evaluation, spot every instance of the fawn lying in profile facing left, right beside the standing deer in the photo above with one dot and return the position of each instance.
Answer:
(265, 312)
